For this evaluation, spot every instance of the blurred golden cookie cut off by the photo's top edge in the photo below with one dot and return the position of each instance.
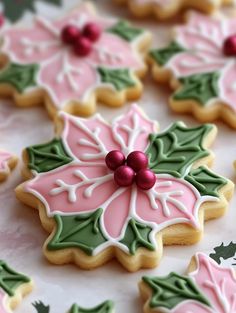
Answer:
(163, 9)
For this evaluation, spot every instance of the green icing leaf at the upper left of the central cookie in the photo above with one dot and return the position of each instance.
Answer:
(46, 157)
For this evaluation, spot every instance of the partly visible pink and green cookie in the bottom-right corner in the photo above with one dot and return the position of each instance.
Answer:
(207, 288)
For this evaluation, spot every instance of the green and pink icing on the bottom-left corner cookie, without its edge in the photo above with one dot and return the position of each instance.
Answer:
(10, 281)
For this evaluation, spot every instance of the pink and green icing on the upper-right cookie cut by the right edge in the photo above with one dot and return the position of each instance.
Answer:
(198, 59)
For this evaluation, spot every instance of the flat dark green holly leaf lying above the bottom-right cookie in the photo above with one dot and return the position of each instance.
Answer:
(225, 252)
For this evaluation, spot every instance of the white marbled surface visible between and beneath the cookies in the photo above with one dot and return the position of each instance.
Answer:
(22, 237)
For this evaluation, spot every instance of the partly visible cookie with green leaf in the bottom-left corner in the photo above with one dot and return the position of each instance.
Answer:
(13, 287)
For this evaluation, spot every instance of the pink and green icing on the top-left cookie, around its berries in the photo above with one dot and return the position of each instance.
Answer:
(42, 61)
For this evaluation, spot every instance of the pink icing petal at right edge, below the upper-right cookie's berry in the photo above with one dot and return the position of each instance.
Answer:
(228, 86)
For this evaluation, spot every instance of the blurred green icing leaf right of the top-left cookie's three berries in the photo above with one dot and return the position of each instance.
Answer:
(124, 30)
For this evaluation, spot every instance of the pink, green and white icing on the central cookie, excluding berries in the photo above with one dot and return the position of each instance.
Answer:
(92, 212)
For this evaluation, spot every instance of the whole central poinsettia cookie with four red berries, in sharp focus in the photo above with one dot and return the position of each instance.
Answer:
(122, 189)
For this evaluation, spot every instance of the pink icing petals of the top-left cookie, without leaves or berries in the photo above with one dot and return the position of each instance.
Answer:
(64, 75)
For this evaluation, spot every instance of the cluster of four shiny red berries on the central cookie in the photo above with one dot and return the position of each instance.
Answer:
(130, 170)
